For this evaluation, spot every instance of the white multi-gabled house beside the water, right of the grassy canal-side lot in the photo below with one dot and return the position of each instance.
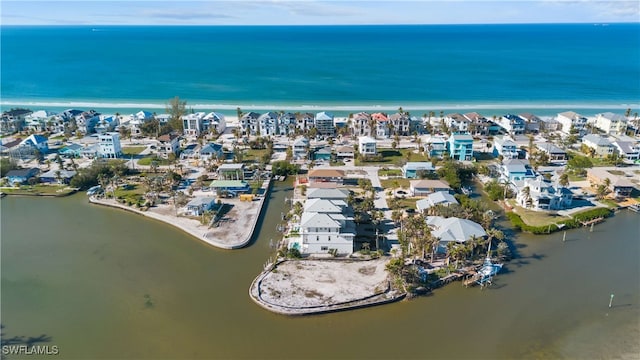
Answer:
(540, 194)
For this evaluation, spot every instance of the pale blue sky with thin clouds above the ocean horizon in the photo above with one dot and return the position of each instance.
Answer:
(314, 12)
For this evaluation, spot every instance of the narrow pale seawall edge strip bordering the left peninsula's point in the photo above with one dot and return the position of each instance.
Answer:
(193, 227)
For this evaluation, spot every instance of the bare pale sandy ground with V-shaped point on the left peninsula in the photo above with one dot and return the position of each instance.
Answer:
(233, 231)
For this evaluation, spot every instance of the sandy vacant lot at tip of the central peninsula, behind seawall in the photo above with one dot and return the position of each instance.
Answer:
(311, 283)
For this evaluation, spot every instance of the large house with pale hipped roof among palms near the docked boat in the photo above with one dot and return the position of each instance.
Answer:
(453, 229)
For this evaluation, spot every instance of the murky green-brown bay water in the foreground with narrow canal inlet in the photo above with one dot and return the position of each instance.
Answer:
(102, 283)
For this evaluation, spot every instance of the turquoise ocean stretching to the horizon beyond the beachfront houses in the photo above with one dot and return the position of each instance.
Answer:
(545, 68)
